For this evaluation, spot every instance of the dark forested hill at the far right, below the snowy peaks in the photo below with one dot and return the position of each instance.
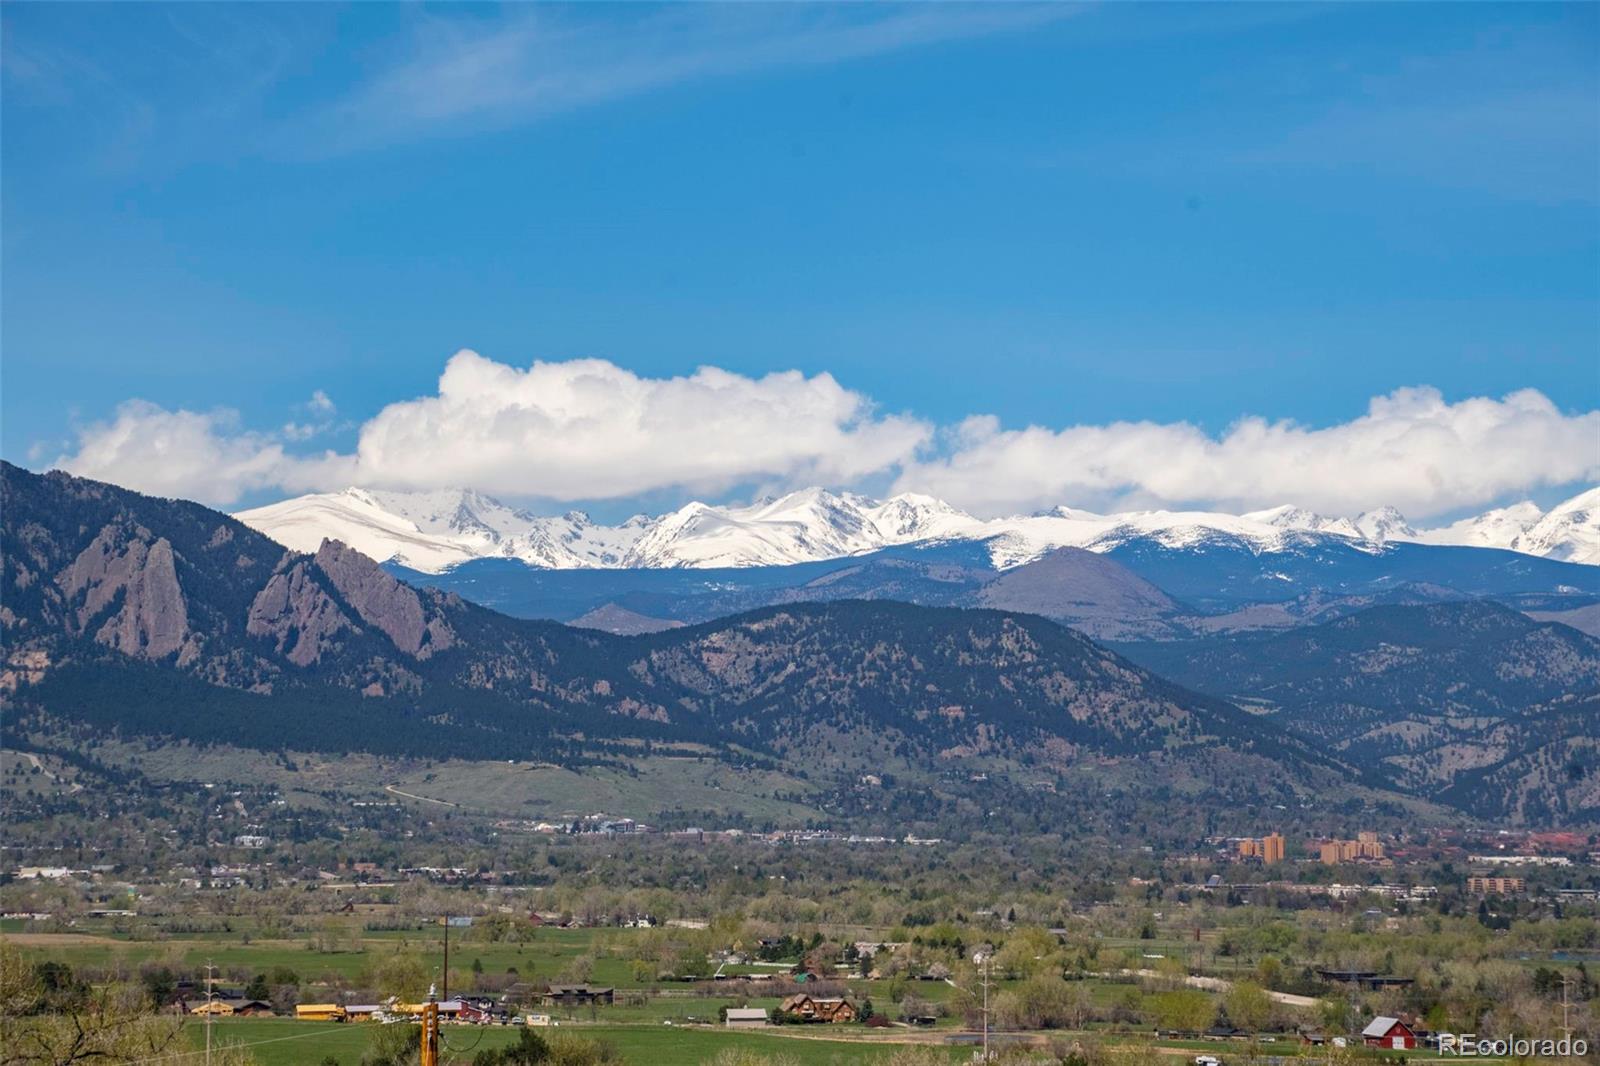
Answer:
(1468, 700)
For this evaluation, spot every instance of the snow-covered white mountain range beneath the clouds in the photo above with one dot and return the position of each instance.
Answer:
(439, 531)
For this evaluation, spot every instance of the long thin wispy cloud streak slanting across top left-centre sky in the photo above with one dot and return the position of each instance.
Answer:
(458, 74)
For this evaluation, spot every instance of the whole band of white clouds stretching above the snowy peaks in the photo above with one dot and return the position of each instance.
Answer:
(588, 430)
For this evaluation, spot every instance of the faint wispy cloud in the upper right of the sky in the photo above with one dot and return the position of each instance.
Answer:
(1513, 116)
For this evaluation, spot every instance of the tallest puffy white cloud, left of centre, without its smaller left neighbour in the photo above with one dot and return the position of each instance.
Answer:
(588, 430)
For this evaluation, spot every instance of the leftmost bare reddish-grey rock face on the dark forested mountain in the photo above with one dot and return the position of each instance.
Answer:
(138, 575)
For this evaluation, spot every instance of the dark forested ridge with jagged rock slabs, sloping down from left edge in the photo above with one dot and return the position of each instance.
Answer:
(164, 619)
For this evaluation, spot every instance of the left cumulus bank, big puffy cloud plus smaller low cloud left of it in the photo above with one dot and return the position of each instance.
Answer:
(583, 430)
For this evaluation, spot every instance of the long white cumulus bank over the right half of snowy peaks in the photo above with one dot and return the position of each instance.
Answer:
(1412, 451)
